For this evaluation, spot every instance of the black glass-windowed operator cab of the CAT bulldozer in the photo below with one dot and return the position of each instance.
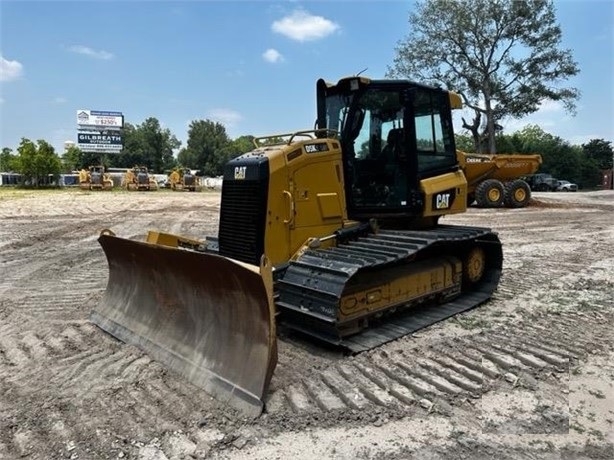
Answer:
(392, 134)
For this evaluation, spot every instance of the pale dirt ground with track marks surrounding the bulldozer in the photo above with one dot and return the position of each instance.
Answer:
(530, 374)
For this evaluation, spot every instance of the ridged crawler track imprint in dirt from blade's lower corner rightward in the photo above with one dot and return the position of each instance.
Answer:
(441, 375)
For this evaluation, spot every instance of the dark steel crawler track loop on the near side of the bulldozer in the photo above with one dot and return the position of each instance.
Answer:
(317, 279)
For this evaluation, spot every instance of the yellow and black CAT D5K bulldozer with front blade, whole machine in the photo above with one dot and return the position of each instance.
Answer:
(333, 232)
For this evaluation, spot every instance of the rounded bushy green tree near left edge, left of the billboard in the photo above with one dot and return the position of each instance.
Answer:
(36, 162)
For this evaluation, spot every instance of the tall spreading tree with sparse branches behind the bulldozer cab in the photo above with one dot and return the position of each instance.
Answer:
(503, 58)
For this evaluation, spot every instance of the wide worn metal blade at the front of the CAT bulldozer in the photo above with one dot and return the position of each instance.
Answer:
(209, 318)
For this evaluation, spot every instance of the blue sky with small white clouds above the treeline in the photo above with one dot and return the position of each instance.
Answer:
(251, 65)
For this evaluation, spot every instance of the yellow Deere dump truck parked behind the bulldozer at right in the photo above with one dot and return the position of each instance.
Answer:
(496, 180)
